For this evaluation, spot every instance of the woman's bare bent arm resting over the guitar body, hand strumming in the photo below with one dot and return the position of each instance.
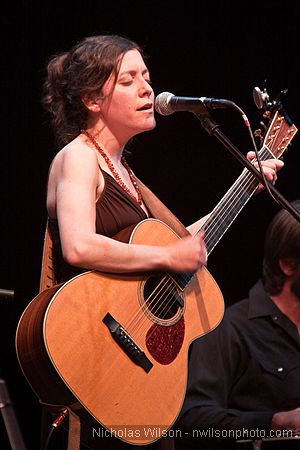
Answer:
(75, 175)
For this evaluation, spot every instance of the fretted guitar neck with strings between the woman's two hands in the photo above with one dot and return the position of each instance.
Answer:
(231, 205)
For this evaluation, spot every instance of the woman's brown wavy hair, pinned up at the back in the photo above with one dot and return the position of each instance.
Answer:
(80, 72)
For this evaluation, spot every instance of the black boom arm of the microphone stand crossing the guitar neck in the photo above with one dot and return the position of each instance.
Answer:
(213, 130)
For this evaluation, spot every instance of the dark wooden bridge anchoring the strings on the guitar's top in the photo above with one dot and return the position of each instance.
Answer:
(126, 343)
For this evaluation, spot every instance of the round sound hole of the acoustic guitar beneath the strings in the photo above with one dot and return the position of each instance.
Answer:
(162, 296)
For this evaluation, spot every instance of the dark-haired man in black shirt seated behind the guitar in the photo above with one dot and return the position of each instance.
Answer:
(244, 377)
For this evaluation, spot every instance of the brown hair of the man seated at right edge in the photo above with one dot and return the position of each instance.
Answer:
(282, 241)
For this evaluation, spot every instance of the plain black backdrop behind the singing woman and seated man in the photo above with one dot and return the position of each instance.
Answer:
(217, 49)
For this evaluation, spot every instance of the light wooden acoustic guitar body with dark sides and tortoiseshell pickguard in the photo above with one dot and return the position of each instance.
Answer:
(68, 351)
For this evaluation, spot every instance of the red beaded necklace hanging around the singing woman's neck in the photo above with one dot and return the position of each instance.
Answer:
(114, 172)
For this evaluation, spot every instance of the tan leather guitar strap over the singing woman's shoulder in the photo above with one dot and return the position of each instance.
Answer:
(47, 279)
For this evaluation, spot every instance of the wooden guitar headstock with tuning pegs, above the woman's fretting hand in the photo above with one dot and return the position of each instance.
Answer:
(279, 134)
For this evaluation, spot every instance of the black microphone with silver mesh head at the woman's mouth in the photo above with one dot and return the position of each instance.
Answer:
(167, 103)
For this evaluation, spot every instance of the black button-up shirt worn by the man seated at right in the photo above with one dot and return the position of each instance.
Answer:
(242, 372)
